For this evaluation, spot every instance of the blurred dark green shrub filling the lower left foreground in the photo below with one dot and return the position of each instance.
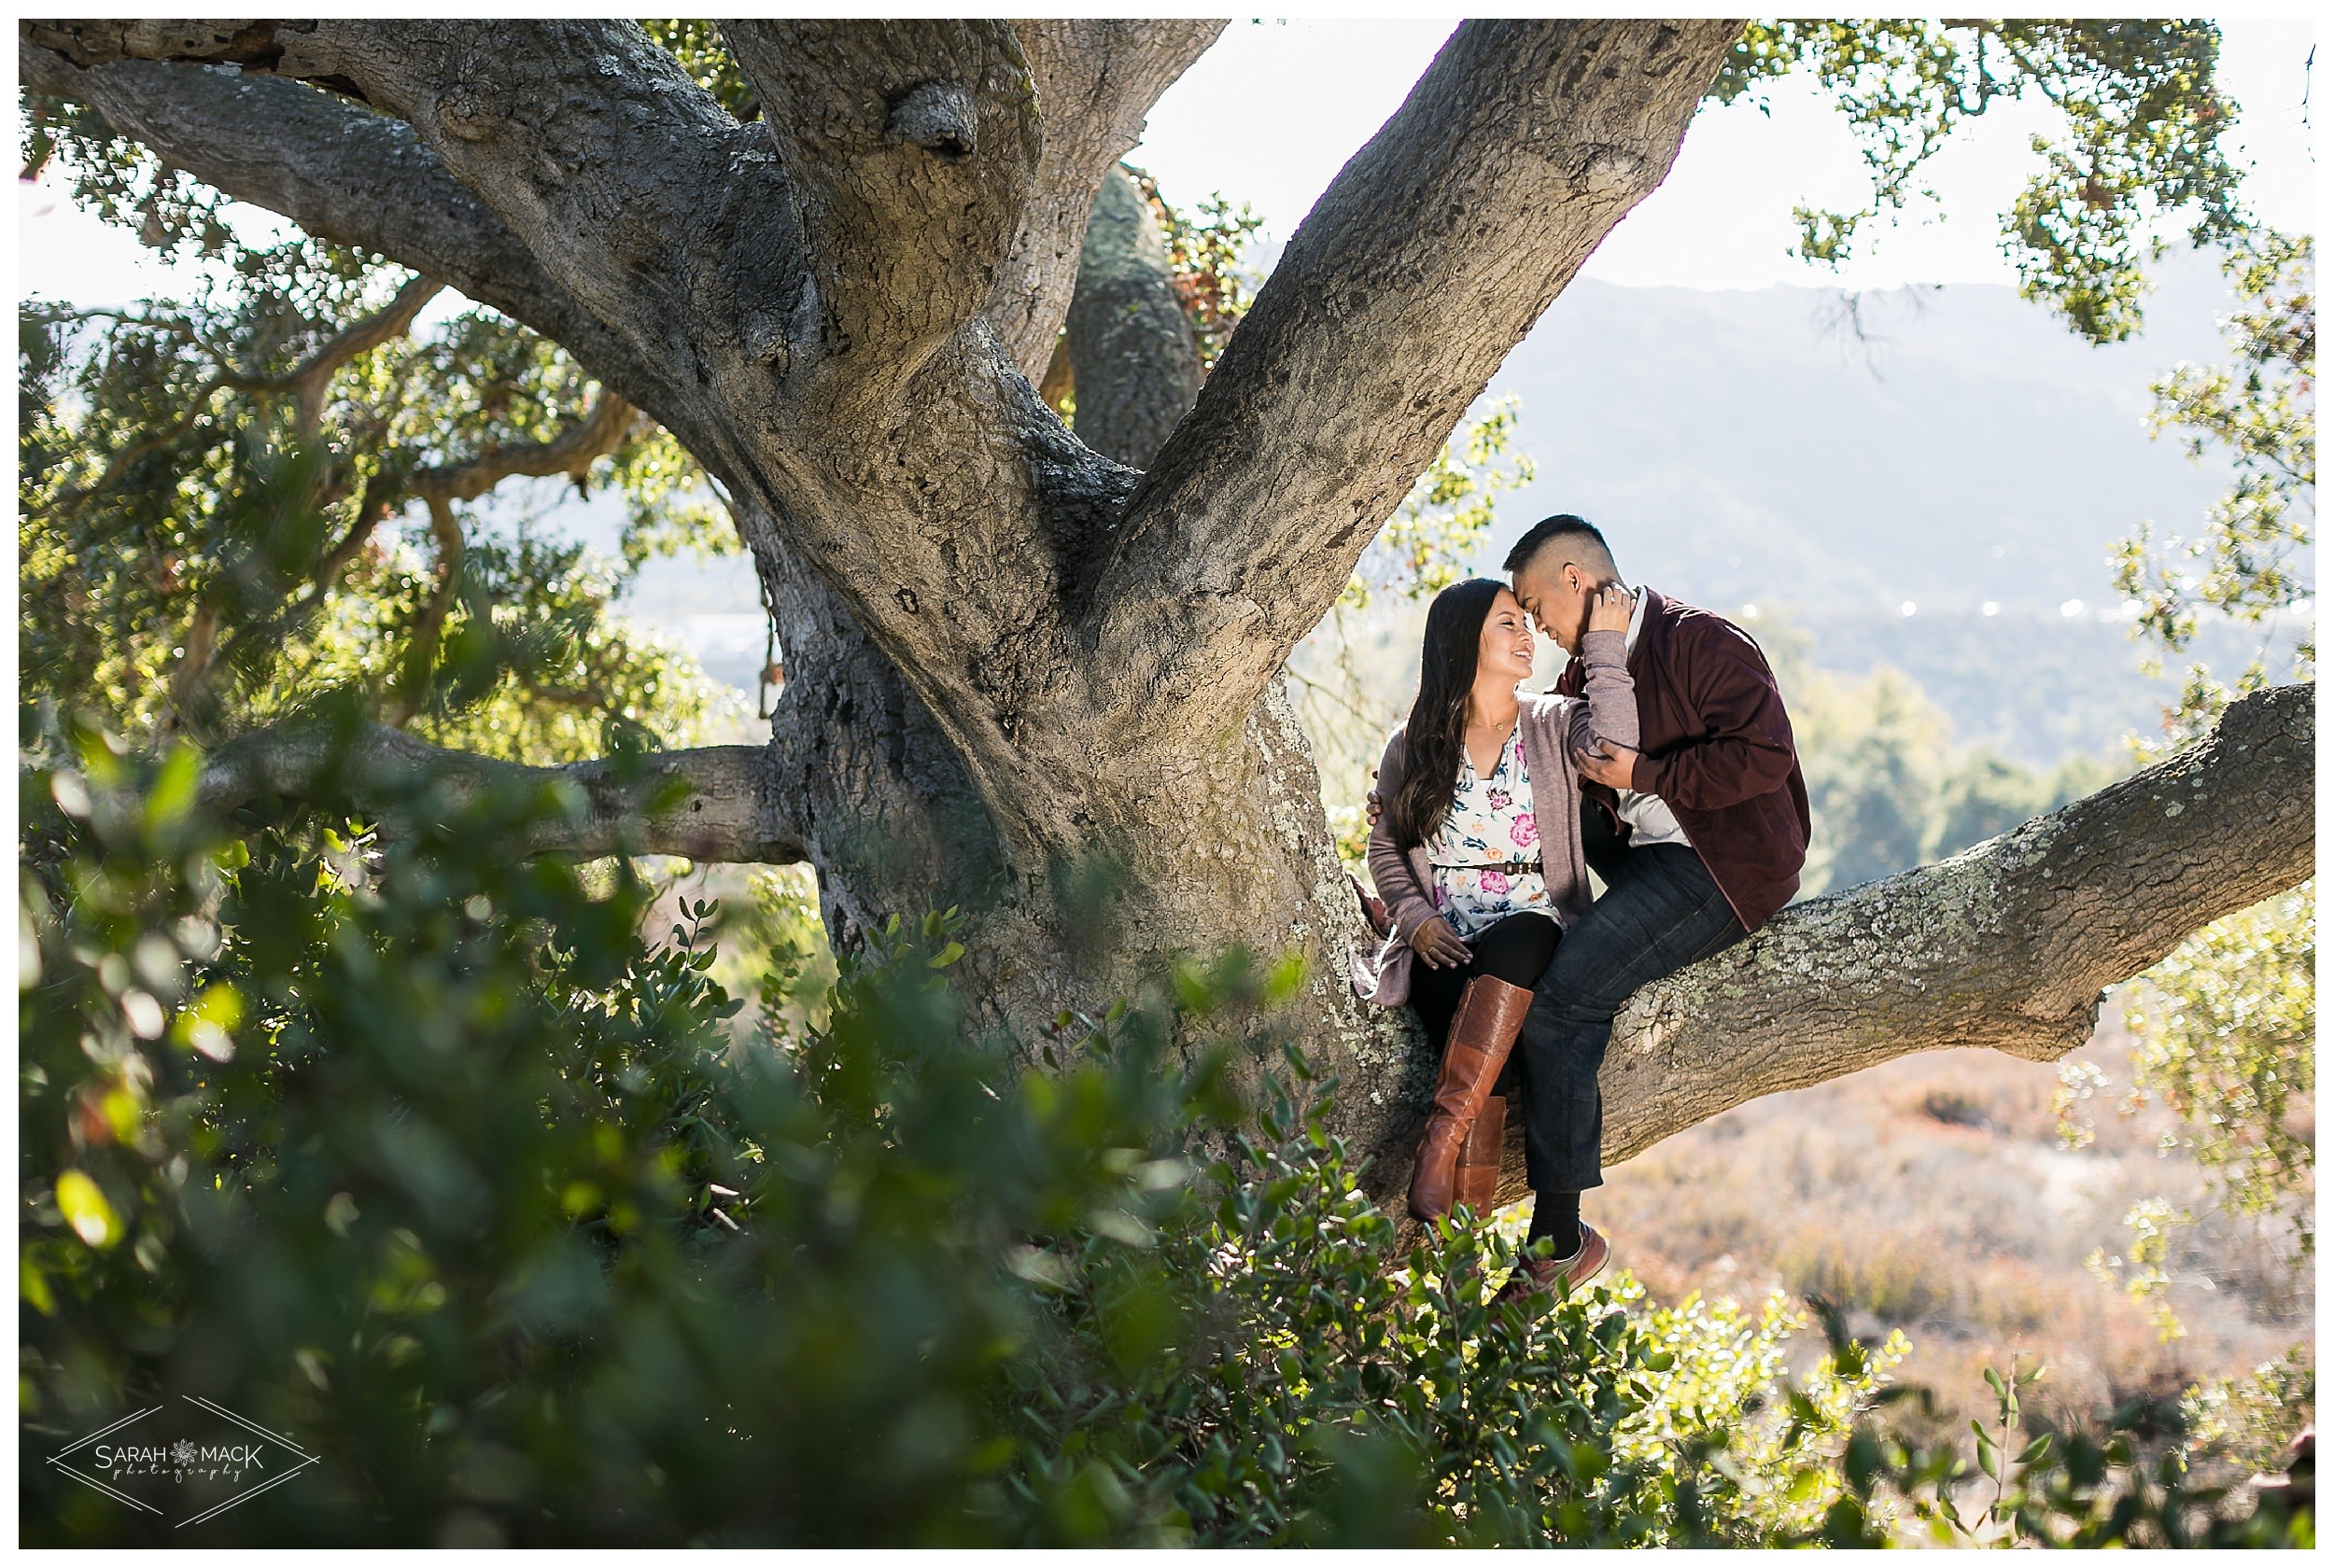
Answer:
(426, 1156)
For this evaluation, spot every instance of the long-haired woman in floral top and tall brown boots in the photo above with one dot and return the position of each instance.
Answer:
(1476, 895)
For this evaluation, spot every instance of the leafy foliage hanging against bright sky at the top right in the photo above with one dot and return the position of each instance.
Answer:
(2139, 141)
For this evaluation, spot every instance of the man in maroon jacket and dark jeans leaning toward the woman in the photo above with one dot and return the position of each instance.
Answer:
(1698, 839)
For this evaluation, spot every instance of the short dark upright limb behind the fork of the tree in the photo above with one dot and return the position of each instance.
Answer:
(1131, 349)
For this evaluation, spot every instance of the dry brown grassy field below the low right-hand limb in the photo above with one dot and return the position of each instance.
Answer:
(1934, 1196)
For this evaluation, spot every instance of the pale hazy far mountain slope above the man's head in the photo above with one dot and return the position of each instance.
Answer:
(1747, 447)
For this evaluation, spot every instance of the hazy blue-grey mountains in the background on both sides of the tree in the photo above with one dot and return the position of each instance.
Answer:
(1749, 449)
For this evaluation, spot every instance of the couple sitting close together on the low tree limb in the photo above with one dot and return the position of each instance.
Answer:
(1663, 759)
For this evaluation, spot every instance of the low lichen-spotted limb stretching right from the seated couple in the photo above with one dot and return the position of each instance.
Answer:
(2004, 946)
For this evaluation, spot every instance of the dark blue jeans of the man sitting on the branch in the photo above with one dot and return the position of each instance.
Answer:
(1661, 913)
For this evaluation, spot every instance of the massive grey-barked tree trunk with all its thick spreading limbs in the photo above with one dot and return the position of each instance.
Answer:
(1023, 678)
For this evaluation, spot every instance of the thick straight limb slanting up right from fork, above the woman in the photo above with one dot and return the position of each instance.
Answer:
(1425, 262)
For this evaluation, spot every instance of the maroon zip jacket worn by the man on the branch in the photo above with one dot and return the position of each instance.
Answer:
(1717, 750)
